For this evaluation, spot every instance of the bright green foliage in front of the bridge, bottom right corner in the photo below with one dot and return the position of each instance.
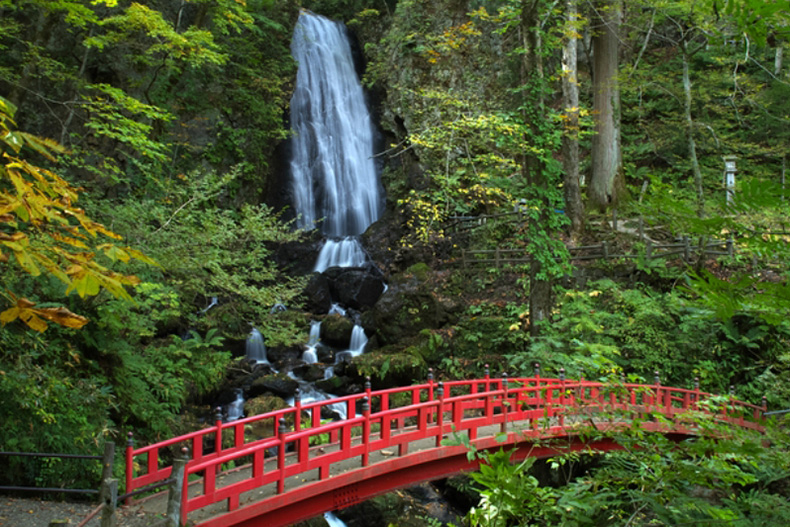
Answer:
(722, 476)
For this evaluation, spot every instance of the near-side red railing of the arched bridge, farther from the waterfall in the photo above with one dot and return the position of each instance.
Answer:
(544, 408)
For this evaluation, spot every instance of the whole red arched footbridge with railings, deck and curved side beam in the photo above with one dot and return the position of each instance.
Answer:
(289, 465)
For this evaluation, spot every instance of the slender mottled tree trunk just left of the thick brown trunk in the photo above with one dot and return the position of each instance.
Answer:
(574, 208)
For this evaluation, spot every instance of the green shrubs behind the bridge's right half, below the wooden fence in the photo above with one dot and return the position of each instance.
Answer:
(639, 331)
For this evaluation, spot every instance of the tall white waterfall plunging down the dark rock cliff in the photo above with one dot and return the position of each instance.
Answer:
(334, 176)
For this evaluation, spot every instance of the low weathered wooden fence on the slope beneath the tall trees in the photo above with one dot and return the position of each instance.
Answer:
(684, 249)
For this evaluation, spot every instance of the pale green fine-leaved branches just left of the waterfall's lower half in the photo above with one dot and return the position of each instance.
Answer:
(208, 251)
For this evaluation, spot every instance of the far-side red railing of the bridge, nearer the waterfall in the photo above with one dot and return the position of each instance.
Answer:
(151, 464)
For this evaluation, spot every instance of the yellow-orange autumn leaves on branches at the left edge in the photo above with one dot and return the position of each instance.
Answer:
(42, 228)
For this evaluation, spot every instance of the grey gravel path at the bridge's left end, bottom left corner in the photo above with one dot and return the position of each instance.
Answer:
(25, 512)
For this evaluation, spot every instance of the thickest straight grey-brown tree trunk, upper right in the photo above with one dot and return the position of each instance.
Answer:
(606, 181)
